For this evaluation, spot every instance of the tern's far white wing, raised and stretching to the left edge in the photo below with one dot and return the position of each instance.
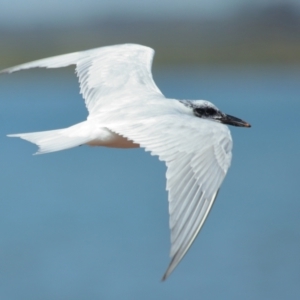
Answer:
(106, 74)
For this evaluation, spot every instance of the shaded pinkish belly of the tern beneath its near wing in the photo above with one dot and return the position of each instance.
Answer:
(107, 138)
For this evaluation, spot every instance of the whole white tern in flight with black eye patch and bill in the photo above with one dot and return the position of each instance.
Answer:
(126, 109)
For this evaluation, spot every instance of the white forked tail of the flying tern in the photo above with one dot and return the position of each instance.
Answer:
(60, 139)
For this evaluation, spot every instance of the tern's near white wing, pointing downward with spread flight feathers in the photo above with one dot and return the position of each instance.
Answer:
(197, 153)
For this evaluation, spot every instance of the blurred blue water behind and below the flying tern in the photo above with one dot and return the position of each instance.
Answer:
(91, 223)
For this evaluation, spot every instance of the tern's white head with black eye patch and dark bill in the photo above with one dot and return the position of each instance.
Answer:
(206, 110)
